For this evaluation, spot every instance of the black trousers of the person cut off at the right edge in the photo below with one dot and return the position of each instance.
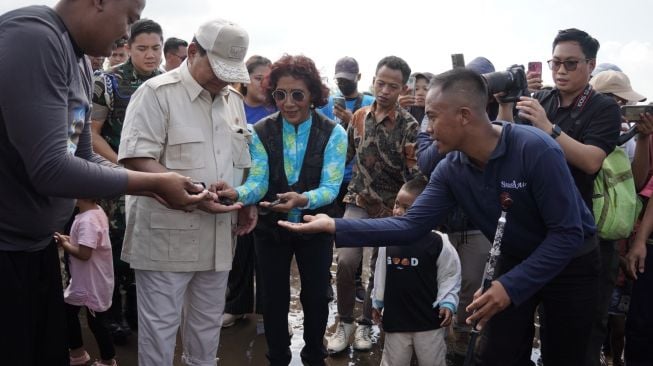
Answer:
(639, 322)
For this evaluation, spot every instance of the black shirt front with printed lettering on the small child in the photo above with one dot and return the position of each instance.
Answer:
(411, 286)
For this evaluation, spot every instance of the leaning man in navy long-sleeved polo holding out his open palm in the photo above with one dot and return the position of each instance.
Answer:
(549, 253)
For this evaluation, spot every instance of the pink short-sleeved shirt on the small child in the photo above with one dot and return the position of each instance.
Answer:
(91, 282)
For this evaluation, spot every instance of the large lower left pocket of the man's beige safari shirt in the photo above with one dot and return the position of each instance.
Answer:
(175, 236)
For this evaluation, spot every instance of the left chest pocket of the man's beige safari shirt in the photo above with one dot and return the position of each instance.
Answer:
(185, 149)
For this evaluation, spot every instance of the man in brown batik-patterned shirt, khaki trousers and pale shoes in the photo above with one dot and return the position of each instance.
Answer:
(382, 141)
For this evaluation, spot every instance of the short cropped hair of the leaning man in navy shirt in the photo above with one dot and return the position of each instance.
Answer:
(465, 82)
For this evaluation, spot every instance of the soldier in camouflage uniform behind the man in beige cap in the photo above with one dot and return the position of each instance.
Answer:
(111, 95)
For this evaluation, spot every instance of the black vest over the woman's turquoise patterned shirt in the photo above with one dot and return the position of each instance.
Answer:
(270, 132)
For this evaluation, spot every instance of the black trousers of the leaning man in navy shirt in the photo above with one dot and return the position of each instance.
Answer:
(567, 302)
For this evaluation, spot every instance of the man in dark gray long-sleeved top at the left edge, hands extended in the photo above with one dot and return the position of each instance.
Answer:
(46, 160)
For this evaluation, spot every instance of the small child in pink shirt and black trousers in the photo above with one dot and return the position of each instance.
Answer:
(91, 284)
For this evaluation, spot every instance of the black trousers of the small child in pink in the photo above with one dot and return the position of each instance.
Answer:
(96, 321)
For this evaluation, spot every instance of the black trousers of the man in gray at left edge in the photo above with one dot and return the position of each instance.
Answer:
(33, 330)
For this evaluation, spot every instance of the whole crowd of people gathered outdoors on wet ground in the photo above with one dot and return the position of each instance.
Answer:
(199, 181)
